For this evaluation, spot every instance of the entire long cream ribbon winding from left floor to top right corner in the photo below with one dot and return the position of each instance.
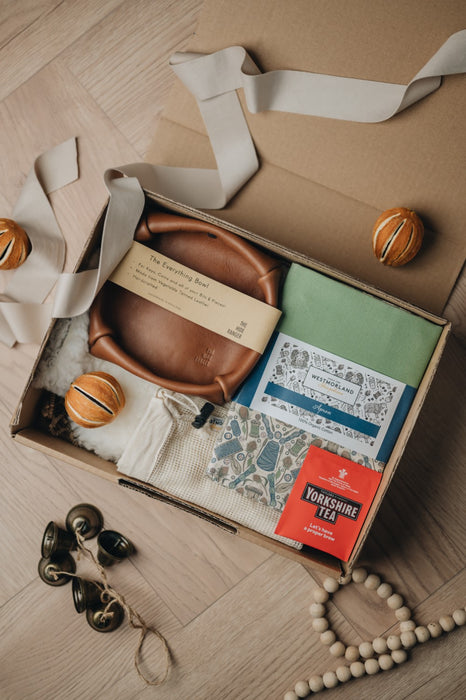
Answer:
(213, 79)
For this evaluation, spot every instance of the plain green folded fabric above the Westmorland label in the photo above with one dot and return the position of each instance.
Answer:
(356, 326)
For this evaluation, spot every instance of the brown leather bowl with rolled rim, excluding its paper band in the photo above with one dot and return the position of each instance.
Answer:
(165, 348)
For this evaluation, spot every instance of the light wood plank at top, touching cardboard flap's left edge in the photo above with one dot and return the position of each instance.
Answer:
(123, 62)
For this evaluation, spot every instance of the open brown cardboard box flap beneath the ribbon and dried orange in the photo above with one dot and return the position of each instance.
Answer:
(323, 182)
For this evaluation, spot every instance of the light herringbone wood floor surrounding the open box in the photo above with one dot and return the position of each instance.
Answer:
(234, 614)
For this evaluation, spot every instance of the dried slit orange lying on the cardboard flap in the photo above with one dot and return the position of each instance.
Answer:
(397, 236)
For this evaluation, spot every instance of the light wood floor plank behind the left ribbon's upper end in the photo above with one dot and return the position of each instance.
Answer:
(62, 109)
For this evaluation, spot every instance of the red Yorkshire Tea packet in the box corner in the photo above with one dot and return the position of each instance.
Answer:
(329, 503)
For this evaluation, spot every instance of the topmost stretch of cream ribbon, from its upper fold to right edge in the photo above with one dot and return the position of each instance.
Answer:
(314, 94)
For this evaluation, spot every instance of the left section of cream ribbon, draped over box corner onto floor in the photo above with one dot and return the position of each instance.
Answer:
(24, 318)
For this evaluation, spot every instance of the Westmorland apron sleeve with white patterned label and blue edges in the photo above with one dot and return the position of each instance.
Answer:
(328, 396)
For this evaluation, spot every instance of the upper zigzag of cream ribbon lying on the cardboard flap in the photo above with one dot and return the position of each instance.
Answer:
(213, 80)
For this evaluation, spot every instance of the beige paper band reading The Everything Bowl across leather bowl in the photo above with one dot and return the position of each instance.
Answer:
(198, 298)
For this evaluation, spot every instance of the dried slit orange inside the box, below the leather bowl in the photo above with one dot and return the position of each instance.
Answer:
(94, 399)
